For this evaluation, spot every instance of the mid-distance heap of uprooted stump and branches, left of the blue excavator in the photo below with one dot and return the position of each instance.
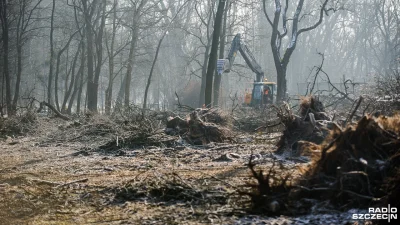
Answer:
(201, 126)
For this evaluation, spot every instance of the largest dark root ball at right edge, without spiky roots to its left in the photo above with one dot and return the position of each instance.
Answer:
(359, 165)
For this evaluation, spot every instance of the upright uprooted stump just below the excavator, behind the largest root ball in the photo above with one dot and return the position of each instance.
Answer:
(310, 125)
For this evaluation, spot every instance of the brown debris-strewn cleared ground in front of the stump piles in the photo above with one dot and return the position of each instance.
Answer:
(56, 175)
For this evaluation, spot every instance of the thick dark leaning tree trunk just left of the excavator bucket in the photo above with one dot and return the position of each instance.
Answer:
(214, 53)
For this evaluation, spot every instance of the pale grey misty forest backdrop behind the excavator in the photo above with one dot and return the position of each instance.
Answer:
(97, 55)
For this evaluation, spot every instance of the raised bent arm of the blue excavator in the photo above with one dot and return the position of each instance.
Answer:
(238, 45)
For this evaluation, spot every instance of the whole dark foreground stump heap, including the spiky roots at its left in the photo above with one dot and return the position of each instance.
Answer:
(355, 166)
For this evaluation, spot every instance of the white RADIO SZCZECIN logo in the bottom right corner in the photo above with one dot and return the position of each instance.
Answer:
(384, 213)
